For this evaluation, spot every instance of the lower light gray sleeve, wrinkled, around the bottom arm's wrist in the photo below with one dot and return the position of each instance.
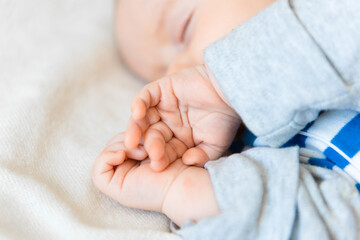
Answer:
(264, 193)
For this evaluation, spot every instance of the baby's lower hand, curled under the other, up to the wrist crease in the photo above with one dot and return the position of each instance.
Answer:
(125, 175)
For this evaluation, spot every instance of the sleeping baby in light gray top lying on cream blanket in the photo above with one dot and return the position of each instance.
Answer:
(214, 65)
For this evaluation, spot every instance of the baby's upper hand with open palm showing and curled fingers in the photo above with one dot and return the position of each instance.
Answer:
(182, 115)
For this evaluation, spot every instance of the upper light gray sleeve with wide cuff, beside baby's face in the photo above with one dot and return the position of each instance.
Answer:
(292, 60)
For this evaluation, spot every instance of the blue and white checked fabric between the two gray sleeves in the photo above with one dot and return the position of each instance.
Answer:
(336, 136)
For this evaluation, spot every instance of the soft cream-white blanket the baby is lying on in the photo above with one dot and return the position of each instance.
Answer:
(63, 94)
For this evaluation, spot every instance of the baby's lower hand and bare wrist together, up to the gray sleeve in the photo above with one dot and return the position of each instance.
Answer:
(181, 192)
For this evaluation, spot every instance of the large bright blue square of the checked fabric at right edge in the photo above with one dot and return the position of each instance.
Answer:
(348, 138)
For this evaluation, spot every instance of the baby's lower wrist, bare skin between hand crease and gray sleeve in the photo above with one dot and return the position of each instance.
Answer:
(191, 197)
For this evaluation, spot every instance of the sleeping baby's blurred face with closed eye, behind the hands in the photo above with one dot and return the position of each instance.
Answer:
(158, 37)
